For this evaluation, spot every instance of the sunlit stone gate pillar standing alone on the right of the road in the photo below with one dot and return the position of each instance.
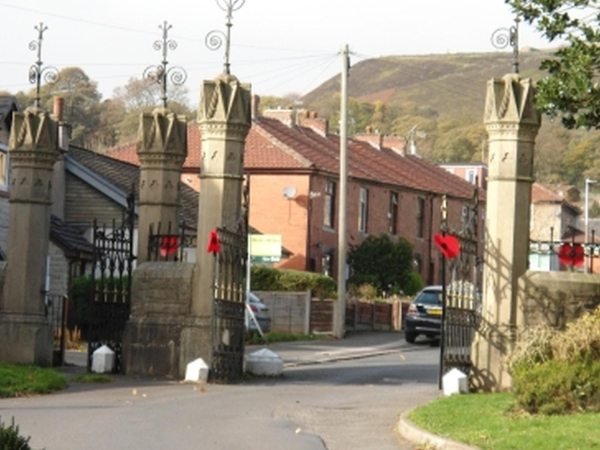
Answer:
(512, 124)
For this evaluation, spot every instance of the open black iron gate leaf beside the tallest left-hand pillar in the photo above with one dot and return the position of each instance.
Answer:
(229, 293)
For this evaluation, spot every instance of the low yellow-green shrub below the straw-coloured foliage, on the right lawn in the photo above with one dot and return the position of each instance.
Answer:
(558, 387)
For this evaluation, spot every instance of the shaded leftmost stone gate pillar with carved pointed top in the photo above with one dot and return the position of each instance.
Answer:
(25, 333)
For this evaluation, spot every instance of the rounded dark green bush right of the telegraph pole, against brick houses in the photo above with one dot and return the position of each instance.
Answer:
(381, 262)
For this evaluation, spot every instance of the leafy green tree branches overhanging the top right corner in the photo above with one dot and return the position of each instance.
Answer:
(570, 89)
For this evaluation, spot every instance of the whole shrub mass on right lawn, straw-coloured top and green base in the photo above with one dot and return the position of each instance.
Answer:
(559, 372)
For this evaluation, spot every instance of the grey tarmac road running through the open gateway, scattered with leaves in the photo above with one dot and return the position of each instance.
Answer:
(333, 395)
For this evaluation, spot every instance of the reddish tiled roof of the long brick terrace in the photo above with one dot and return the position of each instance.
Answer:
(274, 146)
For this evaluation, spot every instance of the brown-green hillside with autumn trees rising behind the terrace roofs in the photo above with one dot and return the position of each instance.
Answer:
(444, 96)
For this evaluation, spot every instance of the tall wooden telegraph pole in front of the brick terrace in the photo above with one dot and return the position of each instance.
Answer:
(340, 310)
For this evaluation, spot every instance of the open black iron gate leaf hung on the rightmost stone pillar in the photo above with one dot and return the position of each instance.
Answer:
(462, 298)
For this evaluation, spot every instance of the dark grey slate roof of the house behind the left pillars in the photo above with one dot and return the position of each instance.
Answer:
(126, 176)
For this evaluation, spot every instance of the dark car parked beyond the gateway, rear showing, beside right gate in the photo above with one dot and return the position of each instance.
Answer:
(424, 315)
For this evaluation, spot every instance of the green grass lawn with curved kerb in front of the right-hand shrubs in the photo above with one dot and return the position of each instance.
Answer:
(490, 421)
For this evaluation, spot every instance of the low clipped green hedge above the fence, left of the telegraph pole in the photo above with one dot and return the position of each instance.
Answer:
(269, 279)
